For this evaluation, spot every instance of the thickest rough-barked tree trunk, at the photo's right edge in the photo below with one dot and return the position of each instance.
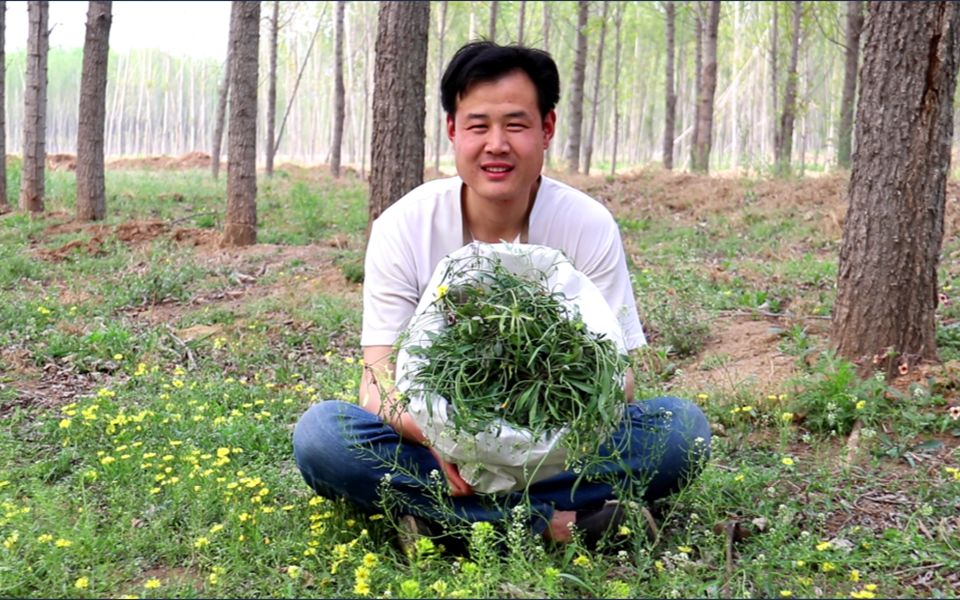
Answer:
(892, 235)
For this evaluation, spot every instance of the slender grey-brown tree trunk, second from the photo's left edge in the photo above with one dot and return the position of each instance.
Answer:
(35, 109)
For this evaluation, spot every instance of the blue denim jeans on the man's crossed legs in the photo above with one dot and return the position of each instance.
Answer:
(343, 450)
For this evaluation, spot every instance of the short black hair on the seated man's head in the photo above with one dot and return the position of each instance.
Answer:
(484, 61)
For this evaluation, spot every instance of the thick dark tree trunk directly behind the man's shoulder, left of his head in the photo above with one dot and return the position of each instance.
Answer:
(399, 104)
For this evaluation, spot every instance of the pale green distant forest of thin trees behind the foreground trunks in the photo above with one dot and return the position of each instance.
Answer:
(163, 102)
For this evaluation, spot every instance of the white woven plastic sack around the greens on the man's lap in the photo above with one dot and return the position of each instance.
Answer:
(503, 458)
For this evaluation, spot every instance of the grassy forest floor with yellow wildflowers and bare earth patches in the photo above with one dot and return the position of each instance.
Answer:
(149, 382)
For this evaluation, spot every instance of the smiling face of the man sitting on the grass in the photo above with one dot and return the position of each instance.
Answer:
(499, 138)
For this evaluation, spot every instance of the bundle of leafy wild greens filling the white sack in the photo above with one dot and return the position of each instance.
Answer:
(513, 352)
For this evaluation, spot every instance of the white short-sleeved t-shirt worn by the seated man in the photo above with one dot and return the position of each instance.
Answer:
(410, 238)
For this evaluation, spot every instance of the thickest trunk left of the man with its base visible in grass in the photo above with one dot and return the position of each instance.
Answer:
(240, 228)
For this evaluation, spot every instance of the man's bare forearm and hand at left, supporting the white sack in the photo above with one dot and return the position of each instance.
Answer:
(377, 396)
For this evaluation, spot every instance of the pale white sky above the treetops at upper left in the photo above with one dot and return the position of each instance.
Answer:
(194, 28)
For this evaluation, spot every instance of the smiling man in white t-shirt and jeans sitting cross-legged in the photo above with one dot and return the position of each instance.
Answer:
(500, 104)
